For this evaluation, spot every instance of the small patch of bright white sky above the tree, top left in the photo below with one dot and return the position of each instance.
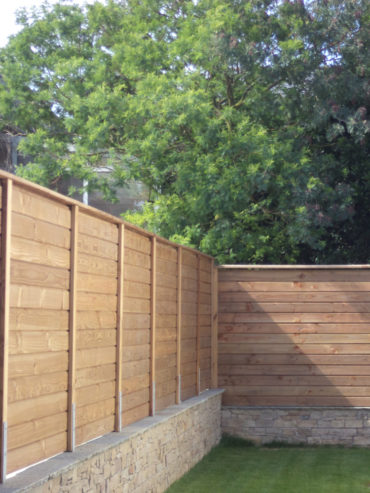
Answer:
(8, 8)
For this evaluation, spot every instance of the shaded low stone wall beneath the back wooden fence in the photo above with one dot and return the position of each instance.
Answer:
(310, 425)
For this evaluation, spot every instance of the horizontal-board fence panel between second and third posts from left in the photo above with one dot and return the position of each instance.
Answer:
(96, 325)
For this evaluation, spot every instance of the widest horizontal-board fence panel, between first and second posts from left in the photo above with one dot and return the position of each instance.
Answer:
(38, 328)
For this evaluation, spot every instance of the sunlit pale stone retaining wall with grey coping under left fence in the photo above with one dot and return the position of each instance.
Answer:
(147, 457)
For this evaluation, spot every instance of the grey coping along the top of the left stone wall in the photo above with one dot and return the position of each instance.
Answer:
(42, 472)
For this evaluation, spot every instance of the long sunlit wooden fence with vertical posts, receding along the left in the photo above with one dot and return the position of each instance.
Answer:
(102, 323)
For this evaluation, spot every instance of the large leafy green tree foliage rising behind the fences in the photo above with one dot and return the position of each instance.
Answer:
(247, 120)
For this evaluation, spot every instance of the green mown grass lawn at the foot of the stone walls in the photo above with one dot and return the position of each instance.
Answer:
(236, 466)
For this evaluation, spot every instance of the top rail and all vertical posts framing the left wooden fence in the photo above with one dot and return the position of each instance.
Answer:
(7, 180)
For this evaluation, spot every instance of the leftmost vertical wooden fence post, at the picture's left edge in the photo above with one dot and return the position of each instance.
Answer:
(7, 189)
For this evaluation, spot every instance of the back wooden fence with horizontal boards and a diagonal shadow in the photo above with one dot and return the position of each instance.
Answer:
(294, 335)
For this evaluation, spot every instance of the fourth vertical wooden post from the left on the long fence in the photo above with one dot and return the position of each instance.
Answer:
(153, 322)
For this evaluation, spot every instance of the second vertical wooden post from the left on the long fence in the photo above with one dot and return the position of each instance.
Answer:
(71, 427)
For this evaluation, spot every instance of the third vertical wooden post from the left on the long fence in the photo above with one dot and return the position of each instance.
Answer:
(119, 348)
